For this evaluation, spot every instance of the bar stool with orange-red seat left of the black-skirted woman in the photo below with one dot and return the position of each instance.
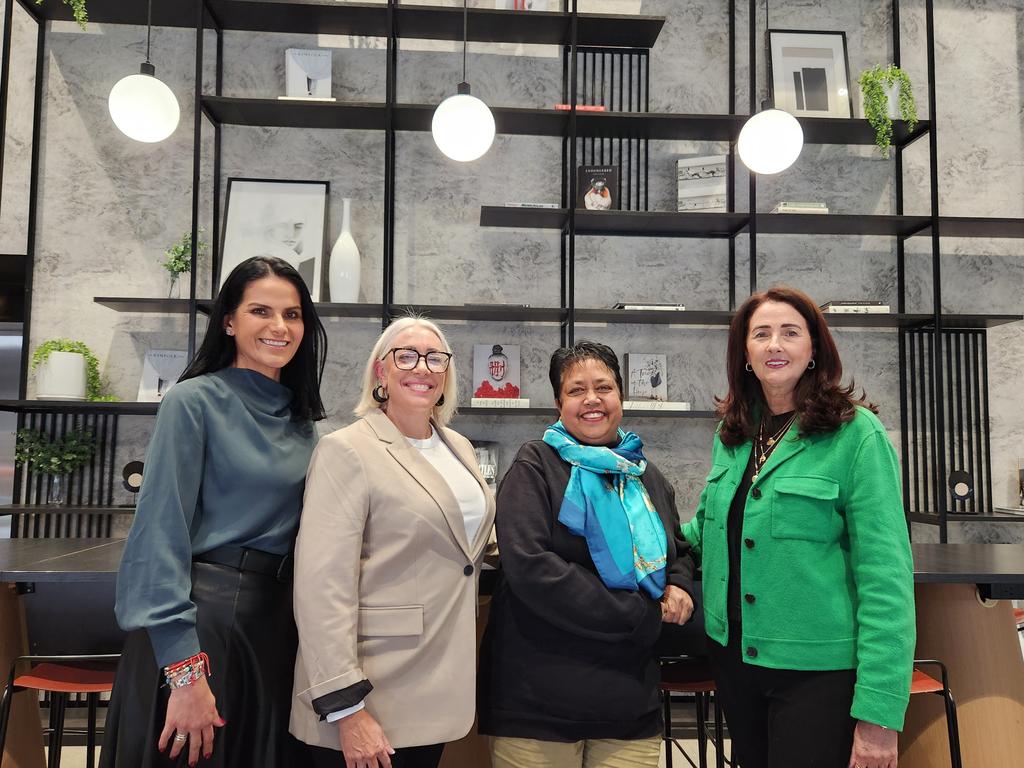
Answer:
(62, 676)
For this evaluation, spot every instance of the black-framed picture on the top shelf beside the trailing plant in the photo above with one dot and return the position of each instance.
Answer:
(809, 73)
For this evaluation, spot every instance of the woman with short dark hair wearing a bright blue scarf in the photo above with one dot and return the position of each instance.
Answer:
(592, 566)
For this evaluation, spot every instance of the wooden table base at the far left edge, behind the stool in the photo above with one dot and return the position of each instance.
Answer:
(25, 745)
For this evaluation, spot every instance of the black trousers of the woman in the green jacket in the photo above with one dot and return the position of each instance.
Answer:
(784, 718)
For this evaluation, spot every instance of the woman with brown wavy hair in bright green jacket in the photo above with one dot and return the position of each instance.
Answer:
(808, 584)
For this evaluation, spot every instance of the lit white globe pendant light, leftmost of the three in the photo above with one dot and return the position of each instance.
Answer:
(142, 107)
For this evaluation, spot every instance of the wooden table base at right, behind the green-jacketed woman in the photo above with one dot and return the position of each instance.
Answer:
(979, 647)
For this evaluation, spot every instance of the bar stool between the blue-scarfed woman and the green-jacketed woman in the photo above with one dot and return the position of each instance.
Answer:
(692, 675)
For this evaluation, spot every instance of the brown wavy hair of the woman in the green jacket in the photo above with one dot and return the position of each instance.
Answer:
(823, 403)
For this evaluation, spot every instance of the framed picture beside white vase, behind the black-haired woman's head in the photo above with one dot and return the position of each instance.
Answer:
(274, 218)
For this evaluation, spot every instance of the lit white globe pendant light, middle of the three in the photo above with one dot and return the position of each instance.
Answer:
(463, 126)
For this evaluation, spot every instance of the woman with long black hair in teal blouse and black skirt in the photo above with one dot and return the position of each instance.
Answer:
(205, 581)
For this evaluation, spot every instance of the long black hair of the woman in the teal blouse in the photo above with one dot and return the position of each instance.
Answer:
(304, 373)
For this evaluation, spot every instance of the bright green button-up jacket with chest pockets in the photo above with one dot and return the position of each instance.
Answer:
(826, 557)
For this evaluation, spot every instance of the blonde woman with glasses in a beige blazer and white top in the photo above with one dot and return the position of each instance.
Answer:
(396, 522)
